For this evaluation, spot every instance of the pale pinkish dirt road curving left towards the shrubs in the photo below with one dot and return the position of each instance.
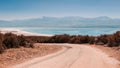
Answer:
(72, 56)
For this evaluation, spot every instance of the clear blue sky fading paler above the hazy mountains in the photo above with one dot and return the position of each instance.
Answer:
(25, 9)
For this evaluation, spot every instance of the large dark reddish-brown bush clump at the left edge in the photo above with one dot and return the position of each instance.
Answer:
(10, 40)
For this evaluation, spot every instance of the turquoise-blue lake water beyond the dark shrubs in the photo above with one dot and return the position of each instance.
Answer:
(73, 31)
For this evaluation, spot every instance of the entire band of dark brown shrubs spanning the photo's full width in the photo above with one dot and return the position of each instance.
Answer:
(10, 40)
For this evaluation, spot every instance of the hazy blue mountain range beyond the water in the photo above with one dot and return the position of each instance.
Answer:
(74, 22)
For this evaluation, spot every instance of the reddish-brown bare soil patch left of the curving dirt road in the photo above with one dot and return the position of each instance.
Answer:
(18, 55)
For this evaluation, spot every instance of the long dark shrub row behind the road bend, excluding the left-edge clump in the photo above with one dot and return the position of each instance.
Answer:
(111, 40)
